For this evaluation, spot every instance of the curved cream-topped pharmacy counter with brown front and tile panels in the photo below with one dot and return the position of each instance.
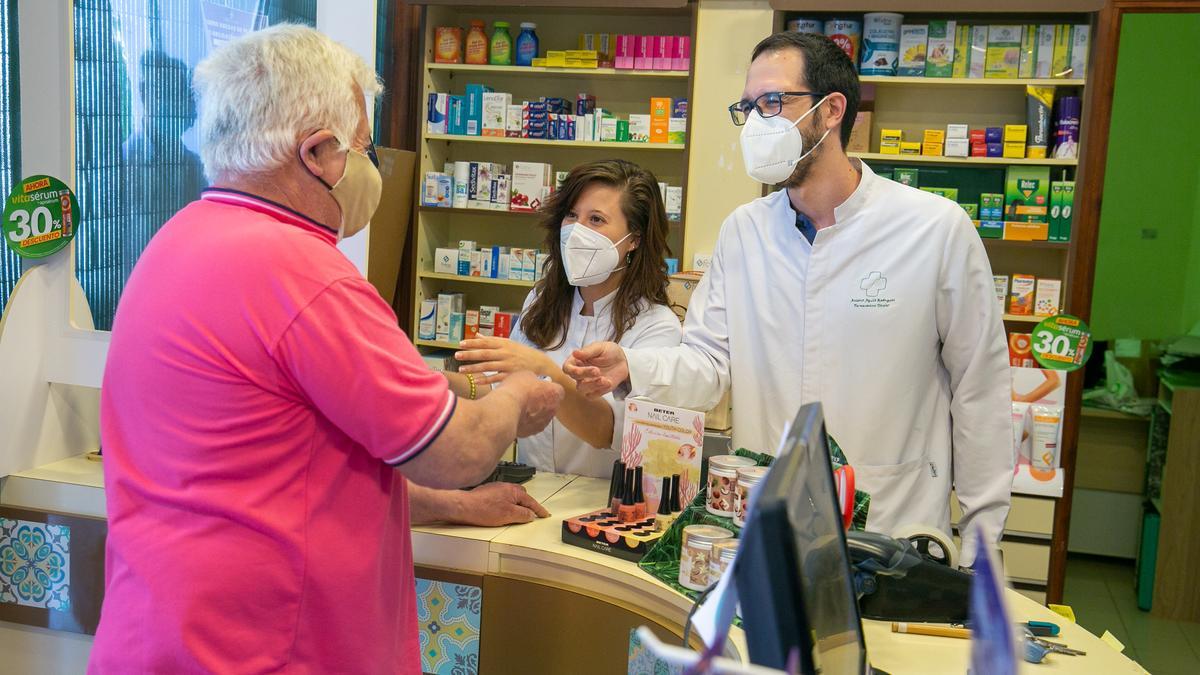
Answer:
(518, 600)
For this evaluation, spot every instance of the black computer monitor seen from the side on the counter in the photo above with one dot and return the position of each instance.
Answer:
(793, 572)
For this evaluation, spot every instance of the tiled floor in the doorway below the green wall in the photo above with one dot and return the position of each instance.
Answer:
(1101, 593)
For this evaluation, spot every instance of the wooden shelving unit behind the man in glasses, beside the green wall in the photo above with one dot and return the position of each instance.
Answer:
(914, 104)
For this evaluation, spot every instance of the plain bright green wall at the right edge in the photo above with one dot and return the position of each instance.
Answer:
(1150, 288)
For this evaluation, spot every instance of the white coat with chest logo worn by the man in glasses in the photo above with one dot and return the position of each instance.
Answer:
(889, 319)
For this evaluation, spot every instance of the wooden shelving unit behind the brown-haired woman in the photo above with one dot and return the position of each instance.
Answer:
(619, 92)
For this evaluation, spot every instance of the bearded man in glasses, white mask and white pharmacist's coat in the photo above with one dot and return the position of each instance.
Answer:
(847, 289)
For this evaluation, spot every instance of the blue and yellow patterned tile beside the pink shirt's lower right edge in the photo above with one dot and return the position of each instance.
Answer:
(448, 618)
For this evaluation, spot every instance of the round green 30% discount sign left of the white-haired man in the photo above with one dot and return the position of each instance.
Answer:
(40, 217)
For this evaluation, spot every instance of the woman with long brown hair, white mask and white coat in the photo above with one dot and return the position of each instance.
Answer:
(607, 279)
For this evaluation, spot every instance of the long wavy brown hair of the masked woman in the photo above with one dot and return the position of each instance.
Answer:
(646, 272)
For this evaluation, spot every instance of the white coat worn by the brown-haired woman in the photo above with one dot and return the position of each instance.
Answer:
(556, 449)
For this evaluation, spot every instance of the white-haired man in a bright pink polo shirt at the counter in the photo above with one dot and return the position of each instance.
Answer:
(261, 409)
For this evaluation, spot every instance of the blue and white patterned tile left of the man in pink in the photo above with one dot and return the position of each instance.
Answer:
(35, 565)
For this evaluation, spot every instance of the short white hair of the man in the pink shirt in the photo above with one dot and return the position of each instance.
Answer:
(261, 93)
